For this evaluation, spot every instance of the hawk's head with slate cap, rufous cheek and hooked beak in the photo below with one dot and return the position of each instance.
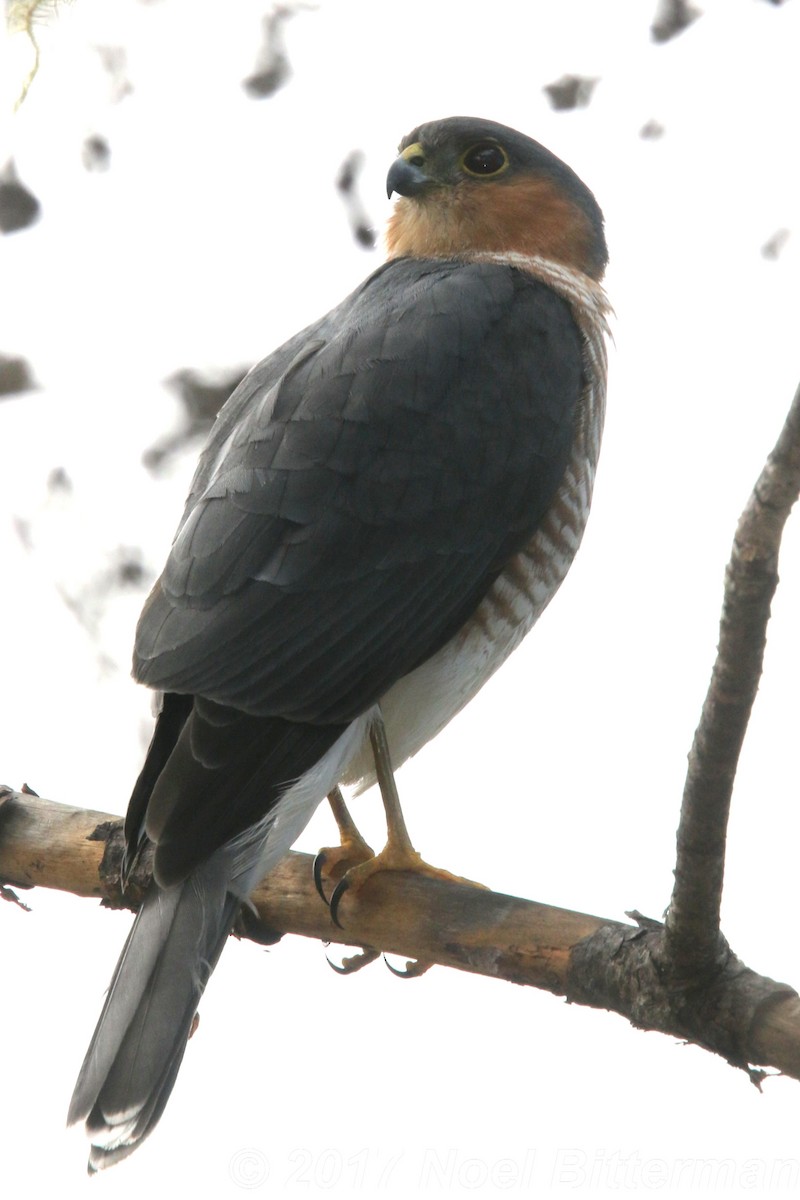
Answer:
(468, 185)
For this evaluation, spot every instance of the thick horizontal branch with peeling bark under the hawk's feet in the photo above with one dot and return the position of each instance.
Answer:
(604, 964)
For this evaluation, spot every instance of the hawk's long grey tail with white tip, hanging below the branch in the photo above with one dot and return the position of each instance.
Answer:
(133, 1063)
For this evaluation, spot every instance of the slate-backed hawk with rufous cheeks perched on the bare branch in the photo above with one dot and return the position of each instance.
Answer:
(384, 508)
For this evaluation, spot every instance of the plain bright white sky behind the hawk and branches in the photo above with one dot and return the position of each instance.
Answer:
(214, 236)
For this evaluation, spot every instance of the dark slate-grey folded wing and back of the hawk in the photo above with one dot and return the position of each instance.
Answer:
(364, 491)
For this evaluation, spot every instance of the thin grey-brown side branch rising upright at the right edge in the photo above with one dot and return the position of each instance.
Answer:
(751, 578)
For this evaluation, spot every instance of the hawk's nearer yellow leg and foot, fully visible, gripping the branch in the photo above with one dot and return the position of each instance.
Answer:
(399, 854)
